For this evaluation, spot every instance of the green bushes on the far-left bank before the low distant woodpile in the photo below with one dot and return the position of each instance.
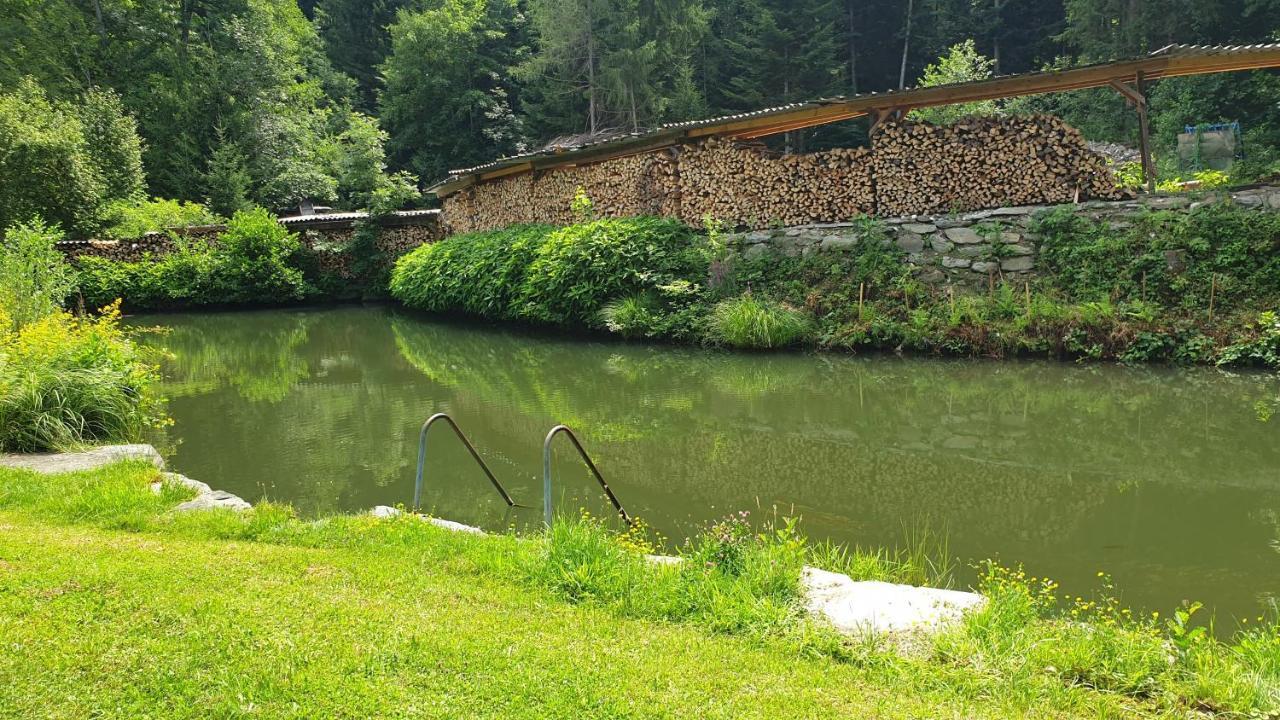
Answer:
(252, 263)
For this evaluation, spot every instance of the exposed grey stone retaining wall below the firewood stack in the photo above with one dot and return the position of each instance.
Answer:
(971, 248)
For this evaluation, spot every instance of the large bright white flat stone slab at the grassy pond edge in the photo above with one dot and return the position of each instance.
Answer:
(883, 608)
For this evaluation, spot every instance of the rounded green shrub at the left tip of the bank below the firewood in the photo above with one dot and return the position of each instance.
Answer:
(477, 274)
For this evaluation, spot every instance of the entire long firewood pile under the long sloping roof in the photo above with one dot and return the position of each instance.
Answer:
(912, 168)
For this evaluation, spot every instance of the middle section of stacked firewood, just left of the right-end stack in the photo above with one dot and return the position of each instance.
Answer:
(746, 186)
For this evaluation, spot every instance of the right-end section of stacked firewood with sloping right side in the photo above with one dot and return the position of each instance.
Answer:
(984, 163)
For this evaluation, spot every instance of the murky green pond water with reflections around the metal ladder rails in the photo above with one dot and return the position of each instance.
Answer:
(1169, 480)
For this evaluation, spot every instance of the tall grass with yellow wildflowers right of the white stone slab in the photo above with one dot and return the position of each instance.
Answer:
(1031, 635)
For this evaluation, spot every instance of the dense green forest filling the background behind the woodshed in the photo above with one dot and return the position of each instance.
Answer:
(355, 103)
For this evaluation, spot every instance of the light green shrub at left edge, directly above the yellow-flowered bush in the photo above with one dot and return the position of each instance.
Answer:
(35, 277)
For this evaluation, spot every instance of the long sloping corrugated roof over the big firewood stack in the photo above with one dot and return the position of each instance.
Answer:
(676, 131)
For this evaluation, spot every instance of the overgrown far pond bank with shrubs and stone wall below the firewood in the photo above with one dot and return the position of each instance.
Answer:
(1181, 281)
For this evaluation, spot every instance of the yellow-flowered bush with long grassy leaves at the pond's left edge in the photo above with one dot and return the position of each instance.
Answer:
(70, 381)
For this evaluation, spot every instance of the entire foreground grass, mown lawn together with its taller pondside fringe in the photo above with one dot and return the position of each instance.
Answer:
(112, 607)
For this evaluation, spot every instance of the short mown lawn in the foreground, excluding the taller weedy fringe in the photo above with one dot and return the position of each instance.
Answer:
(359, 618)
